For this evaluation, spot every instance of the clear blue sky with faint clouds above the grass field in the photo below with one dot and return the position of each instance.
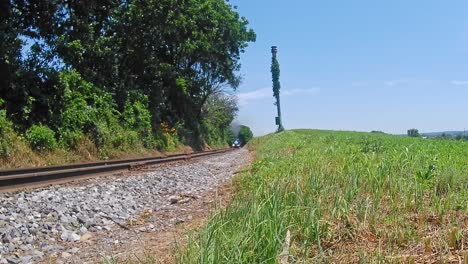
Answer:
(357, 65)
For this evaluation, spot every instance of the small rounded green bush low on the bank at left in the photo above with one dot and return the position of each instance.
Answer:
(41, 138)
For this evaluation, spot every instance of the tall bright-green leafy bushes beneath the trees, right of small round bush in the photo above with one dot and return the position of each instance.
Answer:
(91, 111)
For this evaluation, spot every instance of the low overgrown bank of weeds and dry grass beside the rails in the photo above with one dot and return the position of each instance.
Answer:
(41, 146)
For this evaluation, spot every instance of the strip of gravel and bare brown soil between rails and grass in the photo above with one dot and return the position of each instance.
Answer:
(105, 216)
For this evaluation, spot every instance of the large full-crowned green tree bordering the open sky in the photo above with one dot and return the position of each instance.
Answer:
(180, 53)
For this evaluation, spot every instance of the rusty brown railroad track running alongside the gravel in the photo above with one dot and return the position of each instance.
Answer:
(12, 178)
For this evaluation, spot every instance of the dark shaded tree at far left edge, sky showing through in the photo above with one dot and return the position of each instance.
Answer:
(29, 79)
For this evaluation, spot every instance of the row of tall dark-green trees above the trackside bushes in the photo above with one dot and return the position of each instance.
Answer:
(177, 53)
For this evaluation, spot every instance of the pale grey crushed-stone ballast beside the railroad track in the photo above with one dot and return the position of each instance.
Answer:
(34, 219)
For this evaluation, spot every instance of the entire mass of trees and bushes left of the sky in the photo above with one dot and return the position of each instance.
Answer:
(120, 73)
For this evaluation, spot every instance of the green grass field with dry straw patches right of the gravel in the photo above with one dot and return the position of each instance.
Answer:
(344, 197)
